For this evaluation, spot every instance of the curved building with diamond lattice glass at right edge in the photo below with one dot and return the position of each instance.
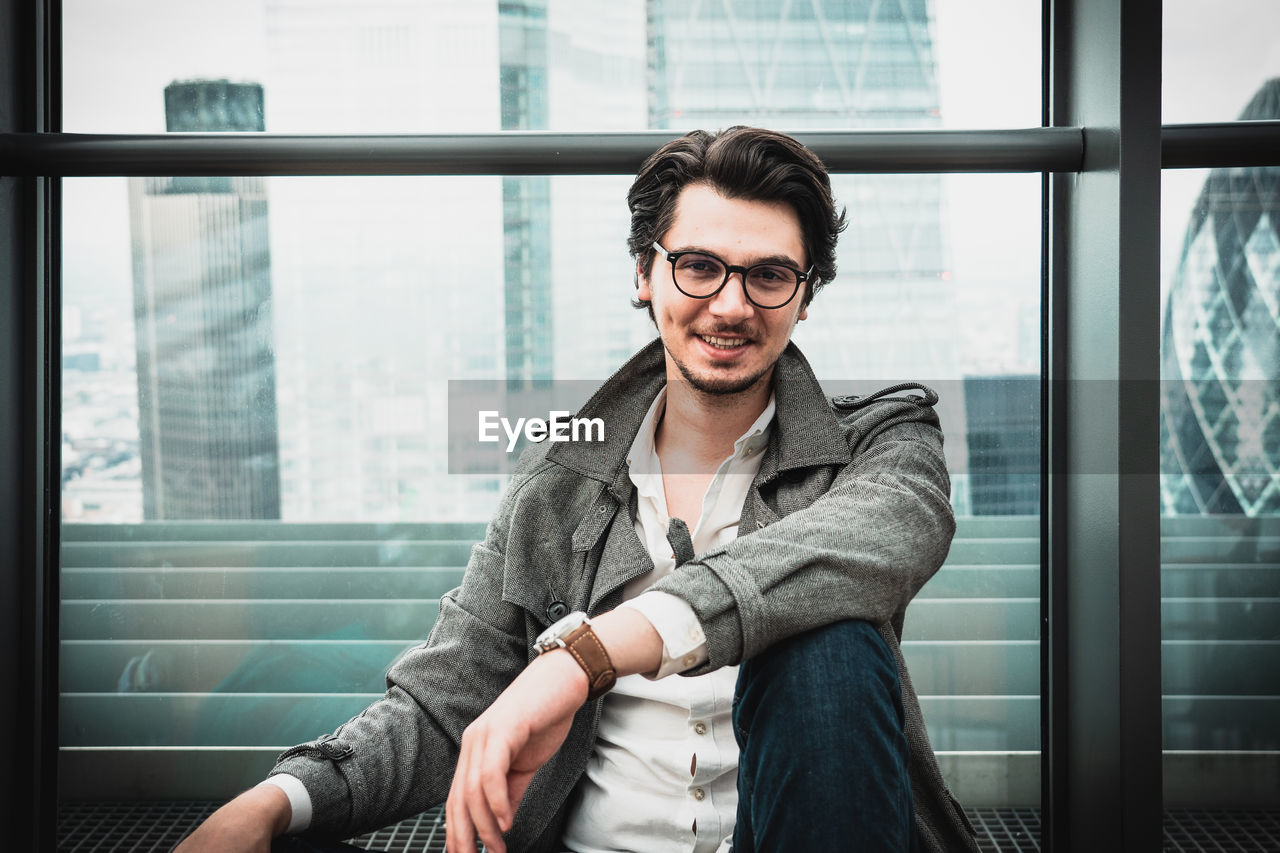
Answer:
(1220, 421)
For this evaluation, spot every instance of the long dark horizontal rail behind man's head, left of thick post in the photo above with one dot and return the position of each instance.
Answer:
(510, 153)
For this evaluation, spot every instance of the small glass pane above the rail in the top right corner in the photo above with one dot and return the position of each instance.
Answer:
(1217, 57)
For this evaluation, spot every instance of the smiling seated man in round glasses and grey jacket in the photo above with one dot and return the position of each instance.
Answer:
(734, 528)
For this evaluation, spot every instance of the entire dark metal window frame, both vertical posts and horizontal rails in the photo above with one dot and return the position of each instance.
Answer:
(1100, 150)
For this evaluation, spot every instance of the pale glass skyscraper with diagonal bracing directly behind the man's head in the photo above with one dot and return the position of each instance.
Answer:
(860, 65)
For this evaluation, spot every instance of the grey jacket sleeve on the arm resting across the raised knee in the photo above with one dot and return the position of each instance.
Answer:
(860, 551)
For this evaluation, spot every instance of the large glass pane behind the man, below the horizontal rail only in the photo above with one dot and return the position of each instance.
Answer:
(258, 505)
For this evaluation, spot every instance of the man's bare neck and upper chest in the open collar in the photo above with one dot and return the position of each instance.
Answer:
(698, 430)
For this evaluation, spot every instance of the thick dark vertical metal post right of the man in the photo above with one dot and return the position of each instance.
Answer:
(1101, 532)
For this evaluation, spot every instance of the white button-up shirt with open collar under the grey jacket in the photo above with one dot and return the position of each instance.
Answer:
(664, 776)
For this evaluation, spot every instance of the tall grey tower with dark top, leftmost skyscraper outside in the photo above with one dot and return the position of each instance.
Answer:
(203, 317)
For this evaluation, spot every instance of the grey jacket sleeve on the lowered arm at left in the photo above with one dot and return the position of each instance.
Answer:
(397, 758)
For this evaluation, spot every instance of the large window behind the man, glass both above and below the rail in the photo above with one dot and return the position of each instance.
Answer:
(259, 366)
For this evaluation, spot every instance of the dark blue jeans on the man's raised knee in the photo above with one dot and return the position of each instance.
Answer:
(824, 760)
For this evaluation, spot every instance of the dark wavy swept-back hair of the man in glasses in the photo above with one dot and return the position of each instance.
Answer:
(747, 163)
